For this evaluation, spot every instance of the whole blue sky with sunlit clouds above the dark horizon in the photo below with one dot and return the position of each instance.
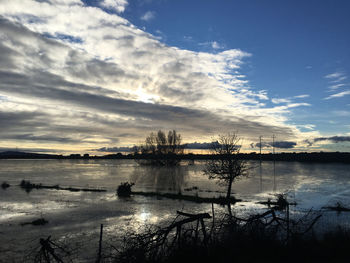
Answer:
(99, 76)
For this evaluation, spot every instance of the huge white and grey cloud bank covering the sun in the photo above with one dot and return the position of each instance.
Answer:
(117, 80)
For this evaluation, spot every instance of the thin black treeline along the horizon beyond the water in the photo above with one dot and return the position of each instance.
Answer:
(340, 157)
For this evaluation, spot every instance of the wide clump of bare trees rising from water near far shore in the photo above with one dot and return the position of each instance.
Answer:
(161, 149)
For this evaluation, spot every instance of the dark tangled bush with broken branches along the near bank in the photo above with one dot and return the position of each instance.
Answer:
(268, 237)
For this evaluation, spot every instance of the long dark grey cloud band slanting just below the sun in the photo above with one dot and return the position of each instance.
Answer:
(49, 86)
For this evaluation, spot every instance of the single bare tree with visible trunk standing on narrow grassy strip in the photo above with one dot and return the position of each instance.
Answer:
(225, 166)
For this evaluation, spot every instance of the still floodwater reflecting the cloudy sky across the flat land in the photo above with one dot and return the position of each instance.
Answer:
(75, 217)
